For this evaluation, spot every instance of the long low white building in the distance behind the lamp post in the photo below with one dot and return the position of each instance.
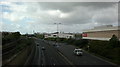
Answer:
(60, 35)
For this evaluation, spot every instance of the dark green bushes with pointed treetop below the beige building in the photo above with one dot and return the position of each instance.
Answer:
(109, 49)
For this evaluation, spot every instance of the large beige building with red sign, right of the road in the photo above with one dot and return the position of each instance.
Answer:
(101, 32)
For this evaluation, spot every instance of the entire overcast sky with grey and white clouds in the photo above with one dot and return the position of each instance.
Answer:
(41, 16)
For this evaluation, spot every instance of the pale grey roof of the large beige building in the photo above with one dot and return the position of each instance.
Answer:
(103, 28)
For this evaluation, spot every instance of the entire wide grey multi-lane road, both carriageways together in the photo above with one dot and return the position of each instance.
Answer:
(63, 55)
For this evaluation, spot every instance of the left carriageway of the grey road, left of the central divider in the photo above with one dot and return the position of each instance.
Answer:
(49, 56)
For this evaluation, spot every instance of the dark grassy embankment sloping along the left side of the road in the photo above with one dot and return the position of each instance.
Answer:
(19, 54)
